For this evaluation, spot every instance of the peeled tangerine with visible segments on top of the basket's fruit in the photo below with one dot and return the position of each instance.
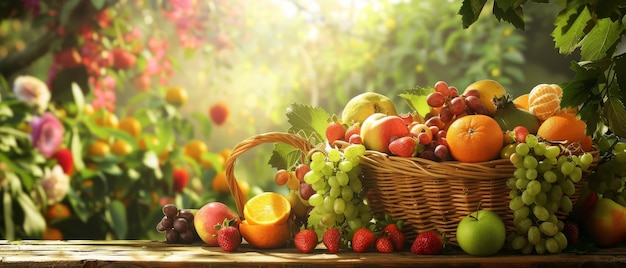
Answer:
(544, 100)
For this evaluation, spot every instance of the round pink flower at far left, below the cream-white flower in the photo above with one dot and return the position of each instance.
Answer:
(47, 134)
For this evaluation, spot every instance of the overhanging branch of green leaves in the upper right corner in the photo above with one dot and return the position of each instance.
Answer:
(595, 28)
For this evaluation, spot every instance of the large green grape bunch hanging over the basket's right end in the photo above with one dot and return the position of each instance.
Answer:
(543, 183)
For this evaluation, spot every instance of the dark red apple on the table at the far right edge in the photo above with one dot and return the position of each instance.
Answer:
(606, 224)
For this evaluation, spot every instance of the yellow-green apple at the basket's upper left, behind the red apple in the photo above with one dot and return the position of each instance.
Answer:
(365, 104)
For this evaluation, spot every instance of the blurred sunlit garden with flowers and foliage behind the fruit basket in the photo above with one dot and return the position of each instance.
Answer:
(152, 94)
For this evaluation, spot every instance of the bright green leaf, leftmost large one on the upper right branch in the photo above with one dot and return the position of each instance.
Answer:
(566, 35)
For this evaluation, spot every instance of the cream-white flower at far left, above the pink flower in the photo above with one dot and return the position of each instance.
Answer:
(32, 91)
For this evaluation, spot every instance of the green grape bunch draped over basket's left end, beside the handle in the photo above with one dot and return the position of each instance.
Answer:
(339, 200)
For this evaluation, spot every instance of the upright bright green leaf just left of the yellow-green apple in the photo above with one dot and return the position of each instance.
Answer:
(311, 121)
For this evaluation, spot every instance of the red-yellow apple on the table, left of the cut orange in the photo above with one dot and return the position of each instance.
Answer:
(208, 216)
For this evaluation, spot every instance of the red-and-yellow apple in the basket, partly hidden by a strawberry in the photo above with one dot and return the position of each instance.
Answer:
(378, 130)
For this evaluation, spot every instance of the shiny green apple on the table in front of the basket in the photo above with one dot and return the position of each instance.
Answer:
(482, 233)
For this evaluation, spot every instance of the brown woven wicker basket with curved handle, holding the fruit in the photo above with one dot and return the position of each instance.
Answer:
(425, 194)
